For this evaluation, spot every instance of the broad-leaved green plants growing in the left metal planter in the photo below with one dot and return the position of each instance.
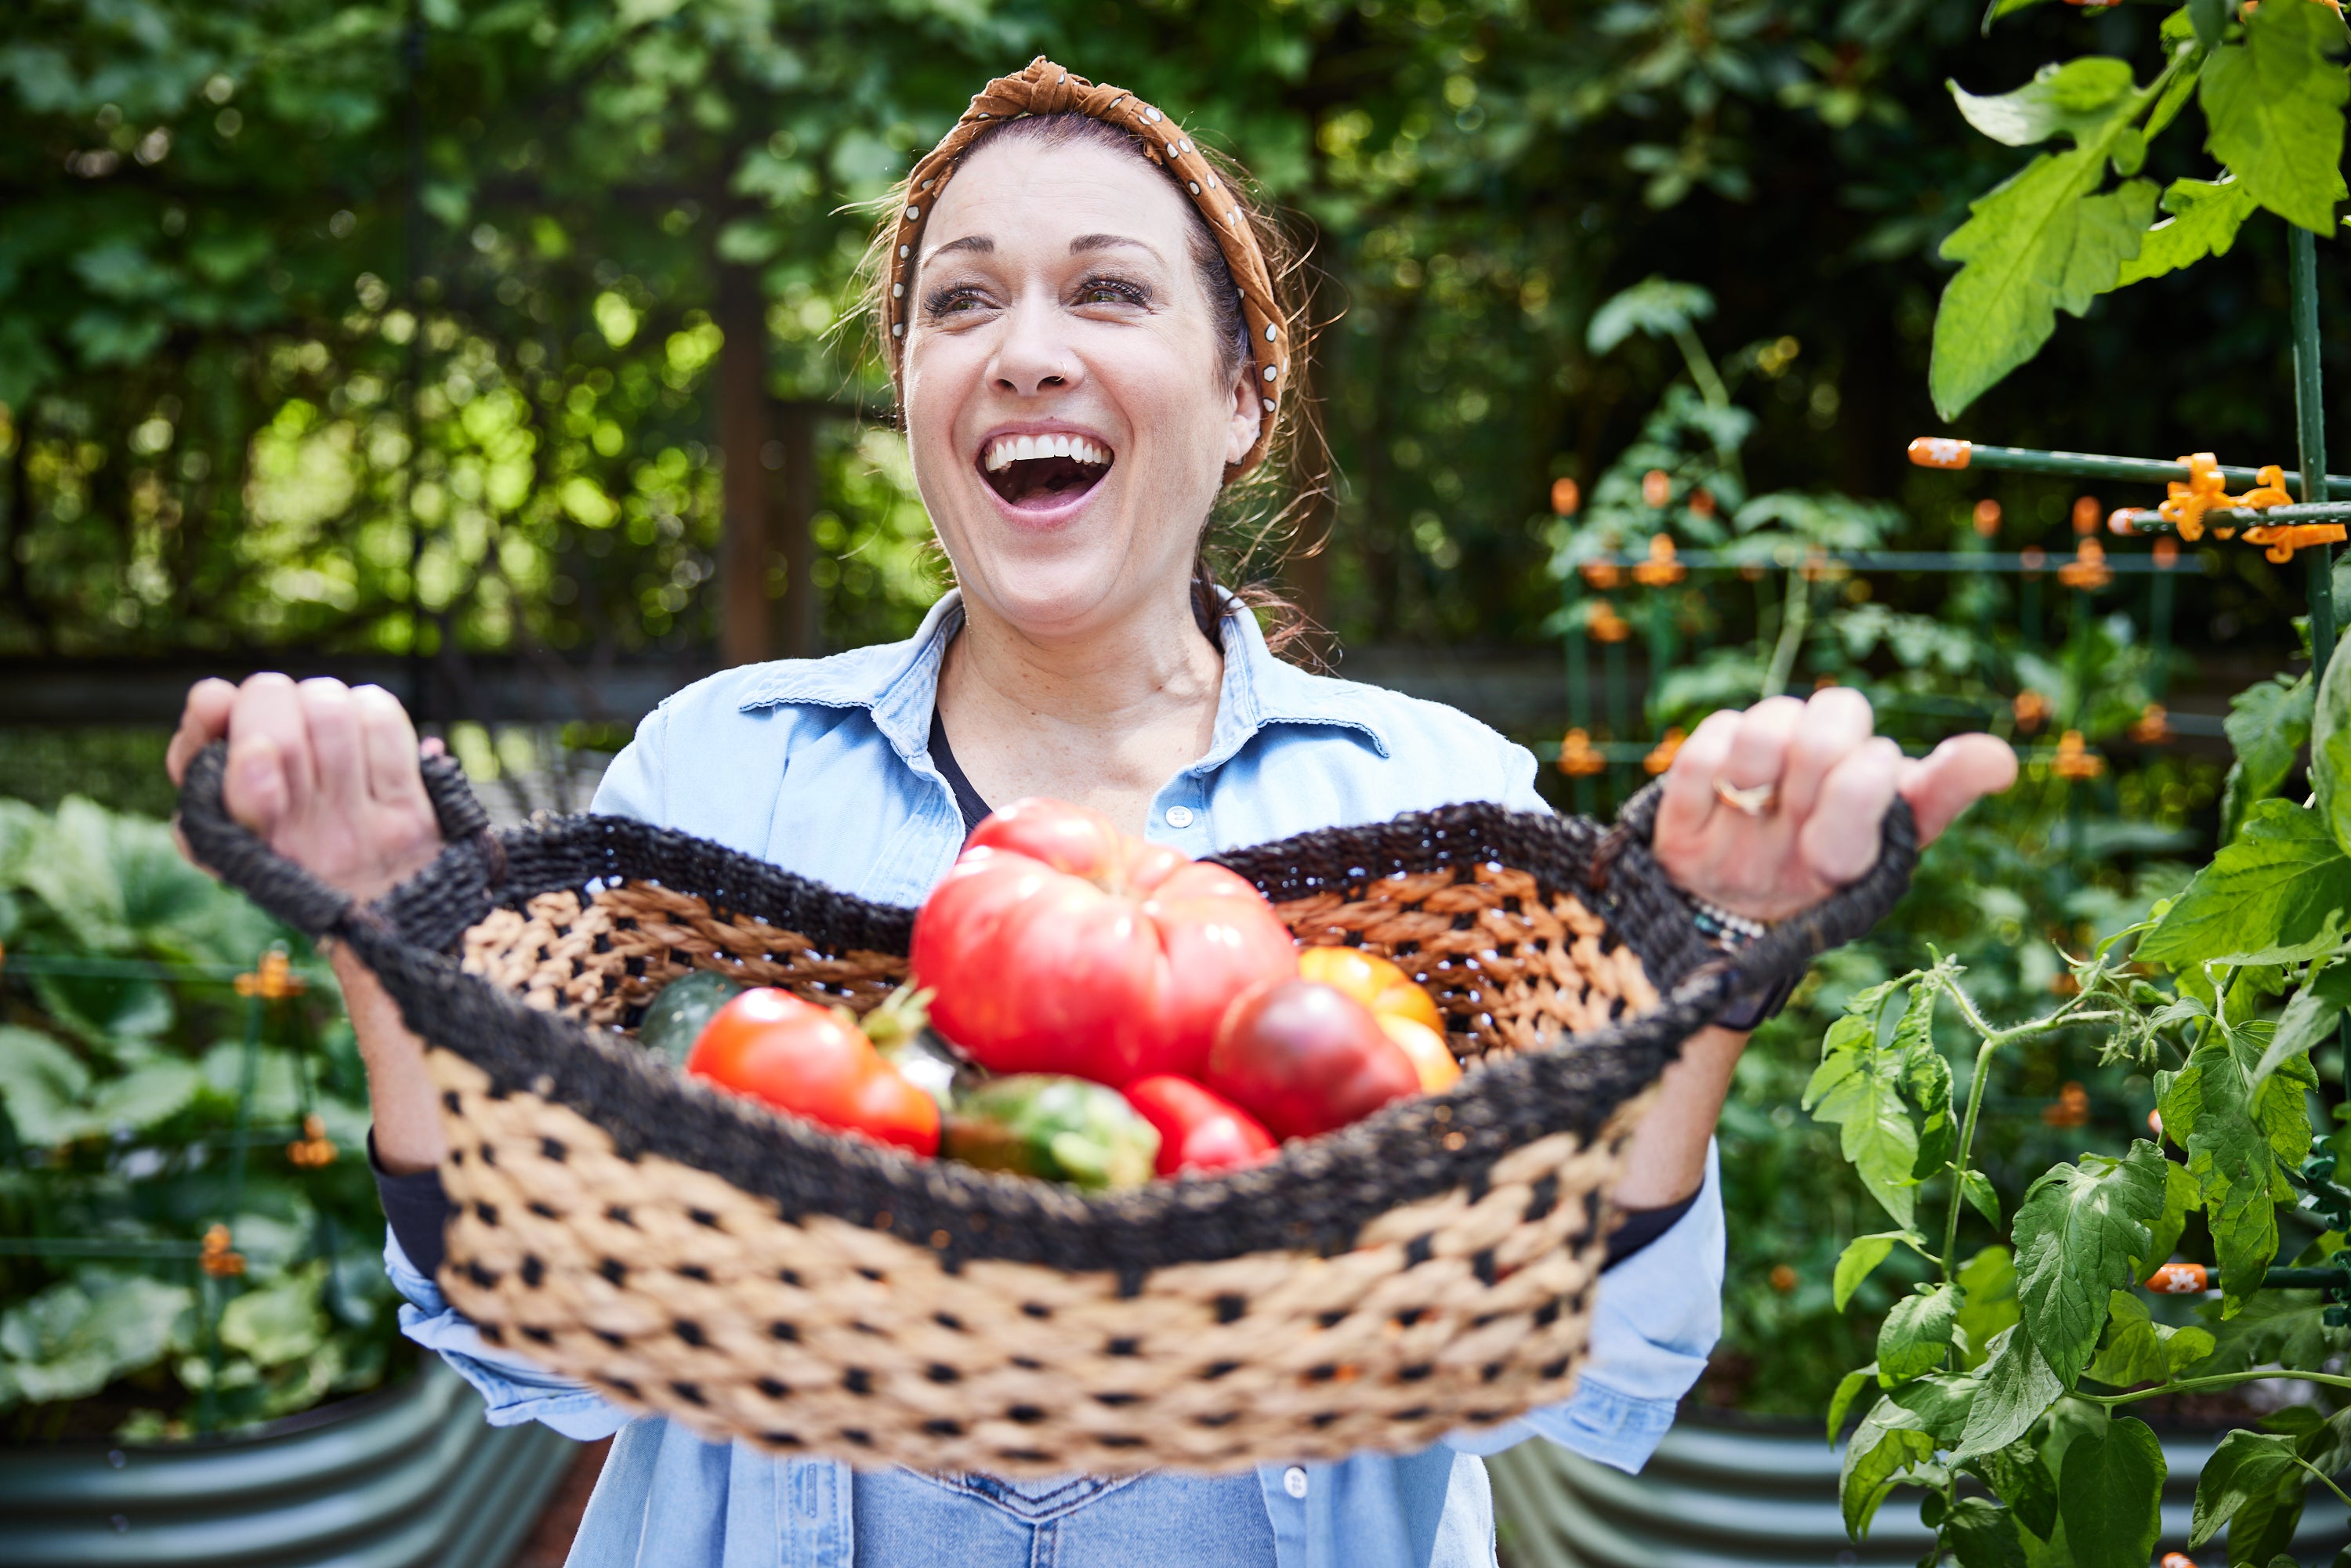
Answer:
(119, 1106)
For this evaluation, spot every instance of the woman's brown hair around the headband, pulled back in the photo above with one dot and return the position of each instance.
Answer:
(1266, 497)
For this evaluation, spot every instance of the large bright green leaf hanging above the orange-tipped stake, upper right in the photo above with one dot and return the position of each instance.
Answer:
(2035, 246)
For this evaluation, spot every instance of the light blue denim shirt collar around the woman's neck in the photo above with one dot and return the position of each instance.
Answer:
(899, 685)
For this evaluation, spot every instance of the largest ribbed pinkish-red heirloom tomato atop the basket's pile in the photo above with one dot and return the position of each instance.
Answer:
(1061, 946)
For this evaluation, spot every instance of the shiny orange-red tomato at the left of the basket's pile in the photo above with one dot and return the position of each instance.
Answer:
(810, 1061)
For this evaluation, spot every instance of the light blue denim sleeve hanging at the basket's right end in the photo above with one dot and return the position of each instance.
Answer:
(1656, 1320)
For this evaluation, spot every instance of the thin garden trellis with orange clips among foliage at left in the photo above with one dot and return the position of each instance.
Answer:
(213, 1261)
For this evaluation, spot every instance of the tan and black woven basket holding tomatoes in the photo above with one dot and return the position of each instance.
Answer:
(758, 1278)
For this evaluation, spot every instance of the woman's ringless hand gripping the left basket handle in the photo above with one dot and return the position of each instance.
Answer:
(326, 775)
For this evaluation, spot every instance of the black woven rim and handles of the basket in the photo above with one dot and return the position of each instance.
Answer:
(1315, 1195)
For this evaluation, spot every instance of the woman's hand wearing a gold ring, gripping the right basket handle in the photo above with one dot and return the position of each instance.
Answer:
(1816, 784)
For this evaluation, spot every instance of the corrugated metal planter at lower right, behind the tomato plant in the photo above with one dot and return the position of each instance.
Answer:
(1736, 1496)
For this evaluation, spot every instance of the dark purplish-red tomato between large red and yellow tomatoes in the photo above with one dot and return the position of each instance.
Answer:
(1306, 1059)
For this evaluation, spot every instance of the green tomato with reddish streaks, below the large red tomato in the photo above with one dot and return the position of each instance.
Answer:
(1052, 1127)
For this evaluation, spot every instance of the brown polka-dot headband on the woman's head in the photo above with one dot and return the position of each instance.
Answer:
(1050, 91)
